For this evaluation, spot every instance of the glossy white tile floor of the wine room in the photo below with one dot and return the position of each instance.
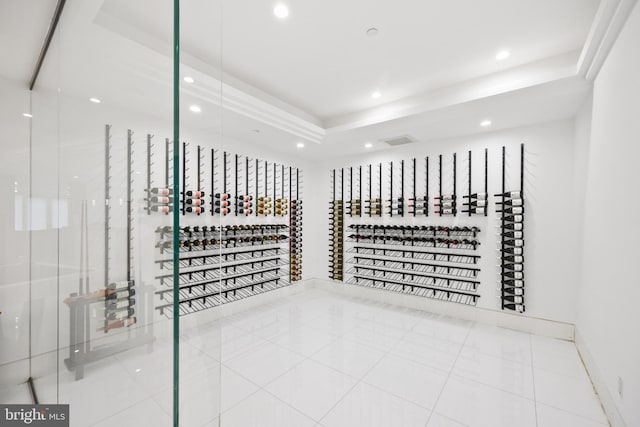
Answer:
(327, 360)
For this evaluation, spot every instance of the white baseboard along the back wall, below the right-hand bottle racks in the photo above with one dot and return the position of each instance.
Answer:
(523, 323)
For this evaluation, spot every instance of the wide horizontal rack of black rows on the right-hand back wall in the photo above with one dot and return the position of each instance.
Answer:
(419, 260)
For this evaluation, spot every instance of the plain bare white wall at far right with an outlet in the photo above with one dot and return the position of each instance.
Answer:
(608, 322)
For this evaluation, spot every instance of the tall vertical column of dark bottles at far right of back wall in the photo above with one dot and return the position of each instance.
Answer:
(510, 206)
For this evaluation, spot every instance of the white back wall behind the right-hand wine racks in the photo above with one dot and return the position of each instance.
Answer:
(551, 251)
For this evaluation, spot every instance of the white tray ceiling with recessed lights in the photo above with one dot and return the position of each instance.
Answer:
(309, 78)
